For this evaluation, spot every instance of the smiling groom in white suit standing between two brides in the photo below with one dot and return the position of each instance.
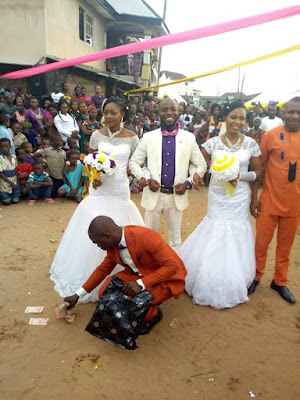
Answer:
(169, 152)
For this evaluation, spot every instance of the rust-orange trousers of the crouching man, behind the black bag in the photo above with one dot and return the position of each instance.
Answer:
(160, 292)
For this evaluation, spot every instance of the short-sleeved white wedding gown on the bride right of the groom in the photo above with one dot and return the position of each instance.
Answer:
(219, 254)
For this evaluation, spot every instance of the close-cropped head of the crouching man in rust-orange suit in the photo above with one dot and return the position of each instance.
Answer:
(104, 232)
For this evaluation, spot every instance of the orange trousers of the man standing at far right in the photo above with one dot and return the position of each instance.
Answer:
(286, 232)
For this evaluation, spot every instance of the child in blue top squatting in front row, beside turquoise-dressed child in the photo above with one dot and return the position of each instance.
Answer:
(39, 184)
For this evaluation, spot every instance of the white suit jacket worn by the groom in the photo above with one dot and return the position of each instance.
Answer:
(150, 147)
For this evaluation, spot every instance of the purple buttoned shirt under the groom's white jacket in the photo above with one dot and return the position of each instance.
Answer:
(168, 162)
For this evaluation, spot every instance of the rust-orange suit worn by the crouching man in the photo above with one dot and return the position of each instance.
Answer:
(162, 271)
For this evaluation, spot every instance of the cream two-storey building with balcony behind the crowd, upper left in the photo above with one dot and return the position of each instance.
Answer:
(36, 32)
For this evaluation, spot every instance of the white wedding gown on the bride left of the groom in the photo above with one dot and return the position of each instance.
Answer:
(77, 256)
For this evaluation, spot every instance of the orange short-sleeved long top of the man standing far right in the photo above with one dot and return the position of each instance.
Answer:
(280, 149)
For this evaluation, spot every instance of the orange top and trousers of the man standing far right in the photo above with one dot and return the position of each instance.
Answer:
(279, 201)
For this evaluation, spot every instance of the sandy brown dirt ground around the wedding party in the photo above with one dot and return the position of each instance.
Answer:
(193, 353)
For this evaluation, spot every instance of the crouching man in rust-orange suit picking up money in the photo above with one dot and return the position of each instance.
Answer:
(150, 264)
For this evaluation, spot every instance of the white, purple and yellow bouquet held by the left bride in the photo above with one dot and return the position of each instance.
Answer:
(100, 163)
